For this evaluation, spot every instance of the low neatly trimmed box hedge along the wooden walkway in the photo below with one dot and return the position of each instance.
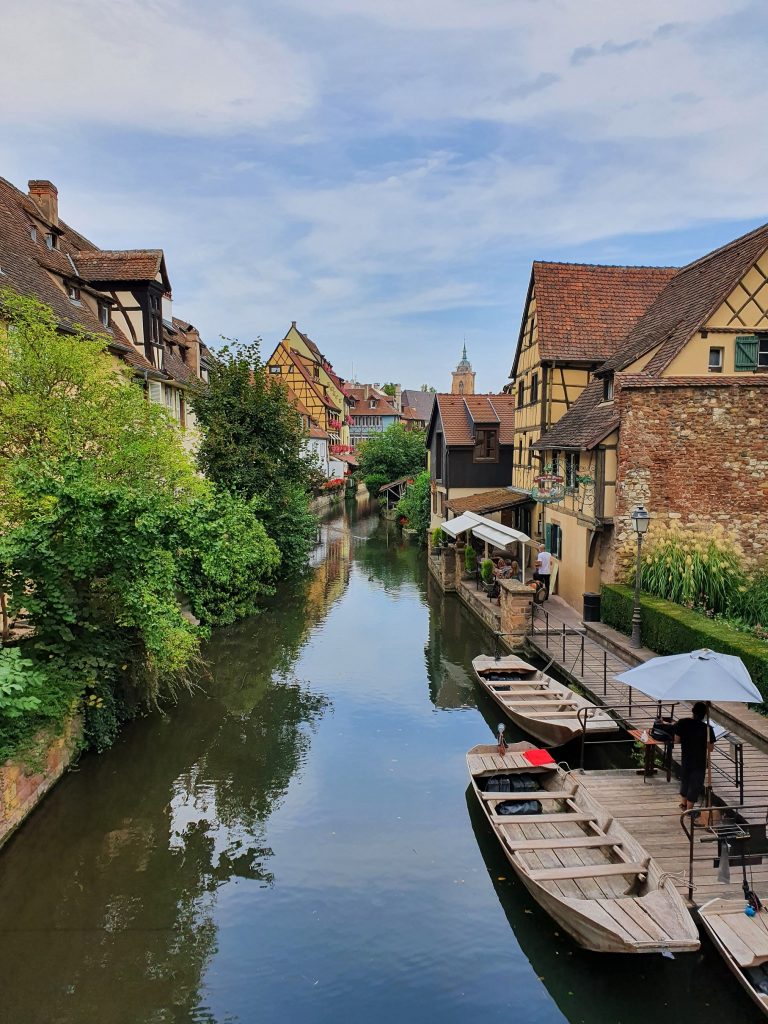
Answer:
(670, 629)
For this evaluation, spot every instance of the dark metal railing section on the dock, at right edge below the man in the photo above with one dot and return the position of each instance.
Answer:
(727, 825)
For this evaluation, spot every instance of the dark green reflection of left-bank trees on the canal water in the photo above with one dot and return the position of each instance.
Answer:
(113, 885)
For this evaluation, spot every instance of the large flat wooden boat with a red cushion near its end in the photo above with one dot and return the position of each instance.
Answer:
(582, 867)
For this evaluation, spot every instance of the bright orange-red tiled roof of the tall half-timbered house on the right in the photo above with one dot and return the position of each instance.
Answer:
(584, 311)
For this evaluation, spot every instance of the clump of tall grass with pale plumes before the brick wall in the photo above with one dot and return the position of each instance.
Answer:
(695, 568)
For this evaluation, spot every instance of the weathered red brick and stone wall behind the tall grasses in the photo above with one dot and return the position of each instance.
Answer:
(696, 455)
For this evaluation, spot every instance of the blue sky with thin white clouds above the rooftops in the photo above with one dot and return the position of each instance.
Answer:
(386, 172)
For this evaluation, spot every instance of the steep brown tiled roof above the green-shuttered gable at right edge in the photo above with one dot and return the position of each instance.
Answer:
(688, 302)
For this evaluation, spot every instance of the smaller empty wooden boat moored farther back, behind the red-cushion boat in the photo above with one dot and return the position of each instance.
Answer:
(537, 703)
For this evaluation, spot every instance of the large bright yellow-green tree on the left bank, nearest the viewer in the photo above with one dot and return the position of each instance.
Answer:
(104, 525)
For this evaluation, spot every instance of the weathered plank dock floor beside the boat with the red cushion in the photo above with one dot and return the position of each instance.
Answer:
(649, 810)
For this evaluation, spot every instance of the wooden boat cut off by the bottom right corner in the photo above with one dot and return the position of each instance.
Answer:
(743, 943)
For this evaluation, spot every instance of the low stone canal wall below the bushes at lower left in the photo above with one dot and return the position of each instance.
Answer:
(23, 787)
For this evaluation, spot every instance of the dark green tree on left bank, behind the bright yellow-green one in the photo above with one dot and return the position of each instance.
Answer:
(253, 445)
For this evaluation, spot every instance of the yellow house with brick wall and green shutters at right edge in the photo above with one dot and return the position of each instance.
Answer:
(674, 420)
